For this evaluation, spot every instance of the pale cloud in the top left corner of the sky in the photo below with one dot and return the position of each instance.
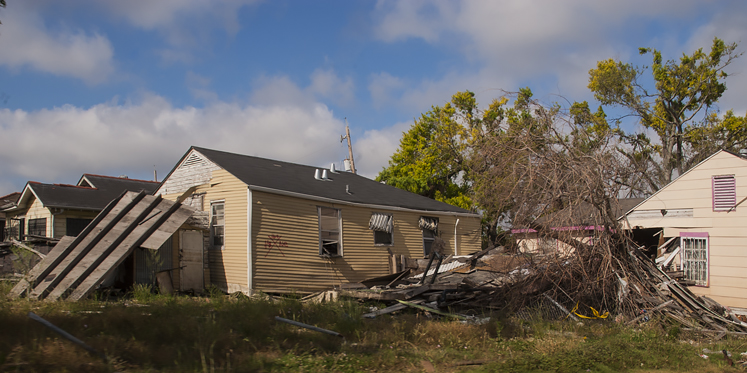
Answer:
(27, 43)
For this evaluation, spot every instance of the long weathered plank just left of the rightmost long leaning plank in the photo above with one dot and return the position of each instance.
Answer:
(104, 247)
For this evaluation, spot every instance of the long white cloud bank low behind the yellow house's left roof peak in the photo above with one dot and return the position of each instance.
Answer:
(58, 145)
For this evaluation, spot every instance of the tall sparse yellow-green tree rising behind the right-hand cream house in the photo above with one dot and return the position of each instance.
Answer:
(677, 107)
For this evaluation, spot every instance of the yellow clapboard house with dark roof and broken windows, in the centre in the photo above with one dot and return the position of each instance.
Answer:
(277, 227)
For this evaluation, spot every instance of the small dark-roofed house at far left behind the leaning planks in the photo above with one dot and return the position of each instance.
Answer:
(56, 210)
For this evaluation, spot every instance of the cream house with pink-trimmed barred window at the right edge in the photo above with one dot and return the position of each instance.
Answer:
(700, 213)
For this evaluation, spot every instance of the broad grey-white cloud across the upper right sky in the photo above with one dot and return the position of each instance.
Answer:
(516, 43)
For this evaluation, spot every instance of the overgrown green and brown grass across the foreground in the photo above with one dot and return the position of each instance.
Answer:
(153, 332)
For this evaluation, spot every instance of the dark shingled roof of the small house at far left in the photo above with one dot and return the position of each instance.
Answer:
(106, 189)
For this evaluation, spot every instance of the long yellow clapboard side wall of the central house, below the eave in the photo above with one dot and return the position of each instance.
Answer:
(285, 241)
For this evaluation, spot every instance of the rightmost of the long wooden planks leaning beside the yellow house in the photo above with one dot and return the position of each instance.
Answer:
(172, 212)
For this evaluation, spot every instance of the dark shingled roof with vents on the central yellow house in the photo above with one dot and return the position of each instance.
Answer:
(296, 178)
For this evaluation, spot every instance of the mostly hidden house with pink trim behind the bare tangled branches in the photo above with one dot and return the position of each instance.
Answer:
(580, 222)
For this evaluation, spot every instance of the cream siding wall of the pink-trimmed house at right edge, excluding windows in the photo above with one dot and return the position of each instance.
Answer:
(727, 231)
